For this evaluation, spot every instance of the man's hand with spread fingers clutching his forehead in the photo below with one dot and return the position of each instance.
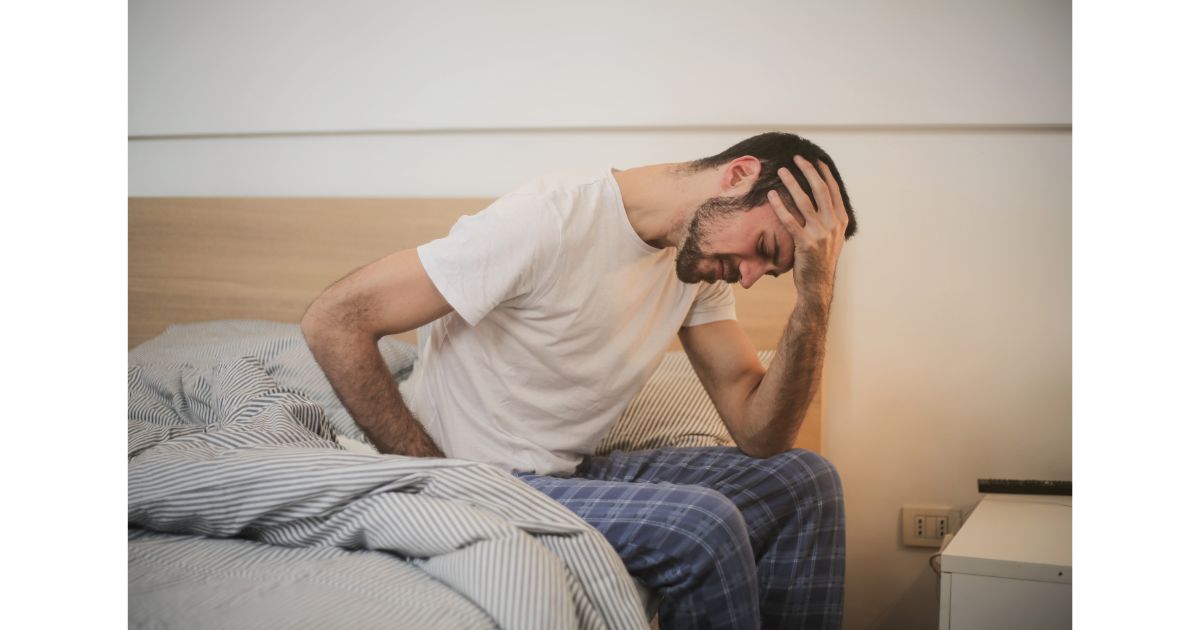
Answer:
(819, 233)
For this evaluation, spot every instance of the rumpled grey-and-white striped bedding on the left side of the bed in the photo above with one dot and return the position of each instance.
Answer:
(244, 512)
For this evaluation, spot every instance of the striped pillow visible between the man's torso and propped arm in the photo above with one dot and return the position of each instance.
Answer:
(671, 411)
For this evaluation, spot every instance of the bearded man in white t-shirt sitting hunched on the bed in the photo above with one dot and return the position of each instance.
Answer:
(551, 309)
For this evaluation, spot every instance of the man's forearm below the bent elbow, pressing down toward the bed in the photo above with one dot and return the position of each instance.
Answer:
(364, 385)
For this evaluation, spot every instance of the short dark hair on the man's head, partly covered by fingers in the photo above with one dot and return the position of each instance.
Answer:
(775, 151)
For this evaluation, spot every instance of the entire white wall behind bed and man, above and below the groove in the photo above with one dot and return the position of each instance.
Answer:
(950, 353)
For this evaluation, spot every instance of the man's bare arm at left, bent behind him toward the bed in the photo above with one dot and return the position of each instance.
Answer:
(344, 328)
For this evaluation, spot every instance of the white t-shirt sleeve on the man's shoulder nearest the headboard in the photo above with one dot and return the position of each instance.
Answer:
(495, 256)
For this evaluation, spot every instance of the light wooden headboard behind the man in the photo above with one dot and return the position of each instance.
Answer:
(195, 260)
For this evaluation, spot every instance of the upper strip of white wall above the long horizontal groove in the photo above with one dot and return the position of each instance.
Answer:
(307, 65)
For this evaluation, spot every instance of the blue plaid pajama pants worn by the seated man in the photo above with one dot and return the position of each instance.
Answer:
(725, 541)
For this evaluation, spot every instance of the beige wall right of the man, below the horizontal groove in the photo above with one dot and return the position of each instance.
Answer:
(950, 353)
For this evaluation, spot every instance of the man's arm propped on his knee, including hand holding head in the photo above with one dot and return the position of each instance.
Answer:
(765, 409)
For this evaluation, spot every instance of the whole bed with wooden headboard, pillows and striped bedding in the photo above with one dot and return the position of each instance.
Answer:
(255, 500)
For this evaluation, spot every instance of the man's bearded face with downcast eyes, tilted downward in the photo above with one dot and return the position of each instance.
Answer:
(727, 243)
